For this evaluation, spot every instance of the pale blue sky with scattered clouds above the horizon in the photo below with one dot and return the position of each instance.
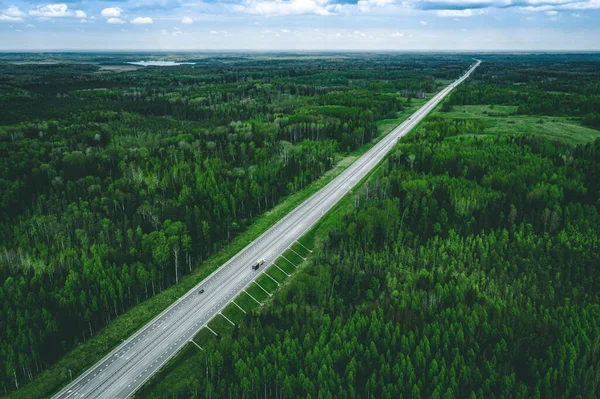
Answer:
(301, 24)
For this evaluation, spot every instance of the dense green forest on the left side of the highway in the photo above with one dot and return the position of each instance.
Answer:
(116, 181)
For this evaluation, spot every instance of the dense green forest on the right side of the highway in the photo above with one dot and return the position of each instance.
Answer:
(466, 266)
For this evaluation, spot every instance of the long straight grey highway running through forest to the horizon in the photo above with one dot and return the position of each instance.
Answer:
(124, 370)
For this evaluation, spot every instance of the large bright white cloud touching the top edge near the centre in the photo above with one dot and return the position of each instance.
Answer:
(281, 7)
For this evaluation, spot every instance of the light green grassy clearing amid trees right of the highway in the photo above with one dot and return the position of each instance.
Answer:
(503, 120)
